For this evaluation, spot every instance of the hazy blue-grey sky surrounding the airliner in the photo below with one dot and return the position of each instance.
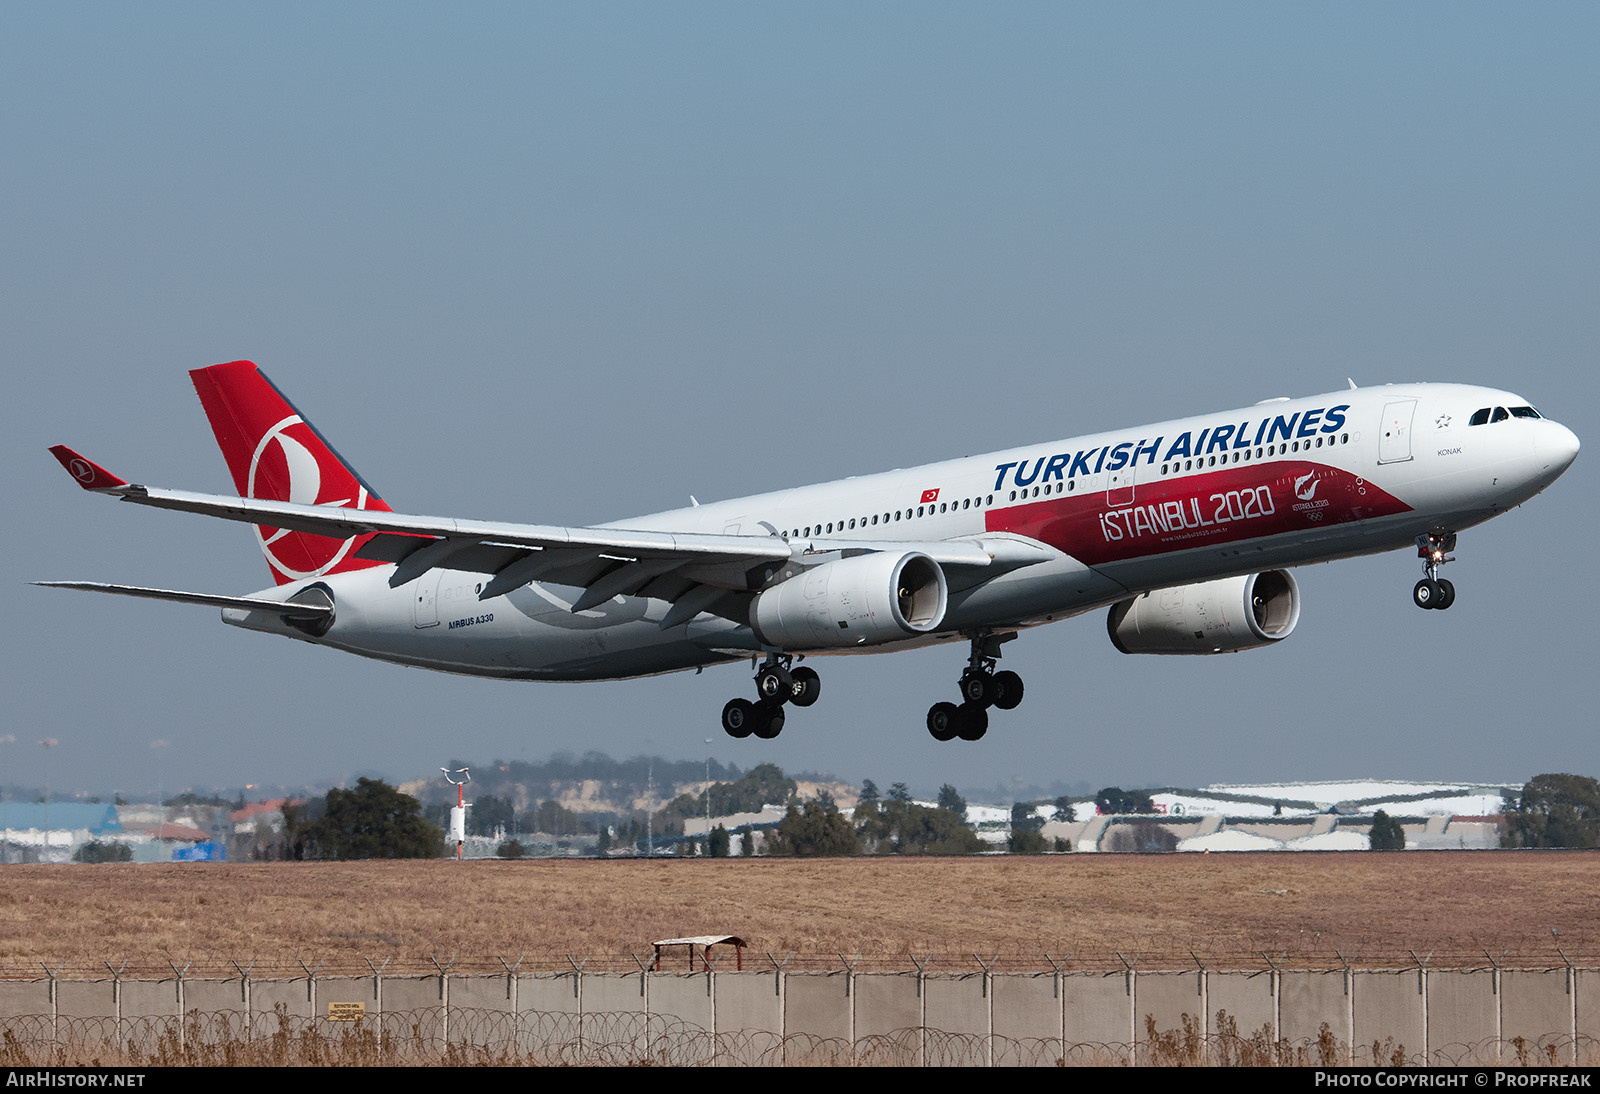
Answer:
(570, 263)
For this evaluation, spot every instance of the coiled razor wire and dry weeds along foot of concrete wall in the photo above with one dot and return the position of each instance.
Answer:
(434, 1037)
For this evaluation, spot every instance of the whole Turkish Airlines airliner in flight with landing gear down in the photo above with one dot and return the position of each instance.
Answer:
(1186, 535)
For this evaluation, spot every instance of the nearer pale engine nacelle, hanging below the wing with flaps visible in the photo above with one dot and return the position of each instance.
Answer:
(854, 602)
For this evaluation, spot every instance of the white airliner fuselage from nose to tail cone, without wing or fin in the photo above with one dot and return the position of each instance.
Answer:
(1276, 485)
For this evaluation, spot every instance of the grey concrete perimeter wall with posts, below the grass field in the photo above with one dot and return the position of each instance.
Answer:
(799, 1012)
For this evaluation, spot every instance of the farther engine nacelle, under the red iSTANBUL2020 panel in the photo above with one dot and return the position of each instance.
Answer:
(1215, 617)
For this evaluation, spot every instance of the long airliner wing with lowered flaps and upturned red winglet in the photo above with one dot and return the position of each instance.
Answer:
(694, 570)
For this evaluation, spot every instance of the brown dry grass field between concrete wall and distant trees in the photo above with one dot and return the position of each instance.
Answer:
(1374, 909)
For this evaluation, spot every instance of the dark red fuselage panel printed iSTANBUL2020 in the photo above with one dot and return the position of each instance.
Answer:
(1196, 511)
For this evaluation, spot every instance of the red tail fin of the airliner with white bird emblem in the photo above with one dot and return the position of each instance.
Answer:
(274, 453)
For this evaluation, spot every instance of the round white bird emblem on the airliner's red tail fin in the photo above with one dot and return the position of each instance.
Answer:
(286, 469)
